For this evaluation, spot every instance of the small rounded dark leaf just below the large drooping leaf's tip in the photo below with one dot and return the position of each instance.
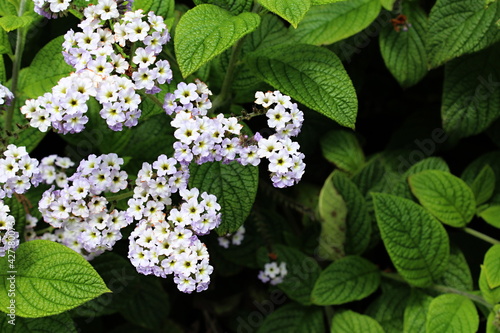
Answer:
(342, 148)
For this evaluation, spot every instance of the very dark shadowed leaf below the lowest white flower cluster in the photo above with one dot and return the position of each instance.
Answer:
(149, 306)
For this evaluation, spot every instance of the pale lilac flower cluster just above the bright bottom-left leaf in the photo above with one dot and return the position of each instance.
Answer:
(81, 211)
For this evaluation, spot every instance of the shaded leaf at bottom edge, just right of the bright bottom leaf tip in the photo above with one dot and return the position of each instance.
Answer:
(389, 308)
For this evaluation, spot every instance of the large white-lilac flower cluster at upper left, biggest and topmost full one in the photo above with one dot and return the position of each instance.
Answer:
(111, 65)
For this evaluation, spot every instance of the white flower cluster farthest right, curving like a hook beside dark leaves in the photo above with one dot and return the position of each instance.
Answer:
(203, 139)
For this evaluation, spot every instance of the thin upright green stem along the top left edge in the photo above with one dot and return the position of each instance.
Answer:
(16, 67)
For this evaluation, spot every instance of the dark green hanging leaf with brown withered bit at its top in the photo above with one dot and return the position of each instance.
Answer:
(404, 51)
